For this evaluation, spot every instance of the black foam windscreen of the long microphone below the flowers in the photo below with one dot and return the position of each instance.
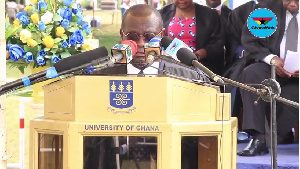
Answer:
(80, 59)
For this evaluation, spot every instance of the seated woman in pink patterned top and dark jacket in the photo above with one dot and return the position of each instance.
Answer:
(199, 27)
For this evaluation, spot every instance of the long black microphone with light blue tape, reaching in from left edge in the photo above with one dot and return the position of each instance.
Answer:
(59, 68)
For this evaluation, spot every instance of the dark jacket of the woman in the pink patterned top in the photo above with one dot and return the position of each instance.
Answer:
(208, 34)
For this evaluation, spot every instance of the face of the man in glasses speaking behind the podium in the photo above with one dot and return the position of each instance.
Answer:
(141, 30)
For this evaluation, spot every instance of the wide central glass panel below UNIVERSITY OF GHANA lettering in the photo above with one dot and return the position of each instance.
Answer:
(120, 152)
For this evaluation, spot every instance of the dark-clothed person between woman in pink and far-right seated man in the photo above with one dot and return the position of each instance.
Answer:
(234, 65)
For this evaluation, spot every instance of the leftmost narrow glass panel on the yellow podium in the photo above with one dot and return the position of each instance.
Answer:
(50, 151)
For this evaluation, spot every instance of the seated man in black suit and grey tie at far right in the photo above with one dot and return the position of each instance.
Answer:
(262, 52)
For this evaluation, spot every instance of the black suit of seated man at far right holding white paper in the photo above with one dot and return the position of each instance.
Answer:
(257, 71)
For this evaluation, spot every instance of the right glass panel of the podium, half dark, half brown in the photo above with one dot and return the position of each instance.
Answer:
(199, 152)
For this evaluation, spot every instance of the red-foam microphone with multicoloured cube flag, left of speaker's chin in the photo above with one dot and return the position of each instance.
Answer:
(123, 52)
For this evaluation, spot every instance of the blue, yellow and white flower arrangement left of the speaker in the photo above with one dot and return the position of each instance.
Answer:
(47, 31)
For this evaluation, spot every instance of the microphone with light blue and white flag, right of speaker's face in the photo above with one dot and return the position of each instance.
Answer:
(172, 46)
